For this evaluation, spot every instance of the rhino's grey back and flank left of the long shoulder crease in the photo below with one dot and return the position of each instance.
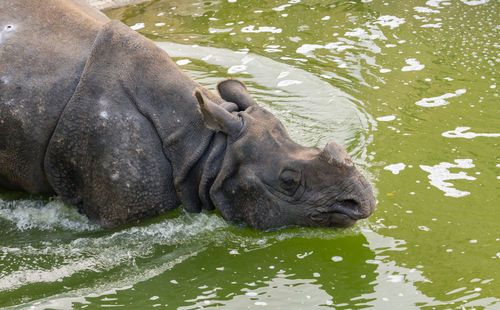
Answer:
(43, 49)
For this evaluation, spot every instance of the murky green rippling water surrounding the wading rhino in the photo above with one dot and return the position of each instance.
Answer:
(395, 82)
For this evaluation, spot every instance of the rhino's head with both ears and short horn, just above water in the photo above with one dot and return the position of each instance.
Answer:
(268, 180)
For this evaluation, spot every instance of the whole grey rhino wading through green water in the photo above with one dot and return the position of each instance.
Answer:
(97, 114)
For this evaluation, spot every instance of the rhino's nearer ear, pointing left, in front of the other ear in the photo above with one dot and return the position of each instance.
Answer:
(216, 117)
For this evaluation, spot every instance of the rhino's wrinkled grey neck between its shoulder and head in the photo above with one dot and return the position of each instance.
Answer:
(164, 94)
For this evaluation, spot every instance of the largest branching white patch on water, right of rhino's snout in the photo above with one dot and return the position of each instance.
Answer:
(440, 173)
